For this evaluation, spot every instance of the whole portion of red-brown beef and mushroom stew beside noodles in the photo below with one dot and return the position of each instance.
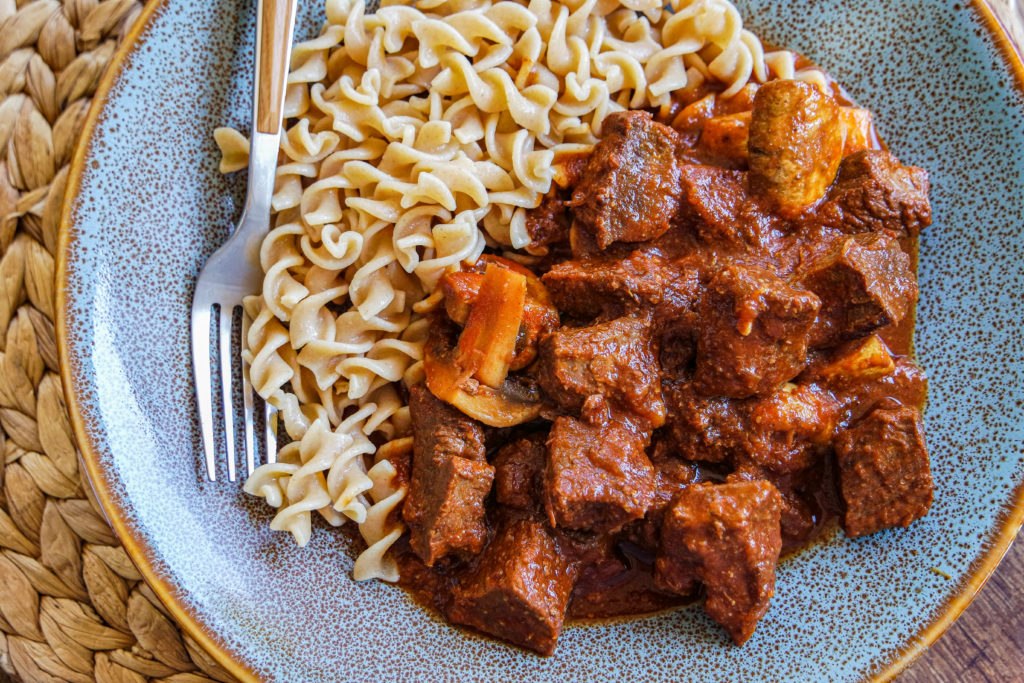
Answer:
(704, 362)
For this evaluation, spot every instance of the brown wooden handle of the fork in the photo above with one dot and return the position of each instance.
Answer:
(275, 26)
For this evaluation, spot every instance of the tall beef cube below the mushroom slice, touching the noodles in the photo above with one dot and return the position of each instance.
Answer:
(451, 479)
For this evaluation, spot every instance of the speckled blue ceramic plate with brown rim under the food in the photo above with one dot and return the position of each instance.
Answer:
(148, 207)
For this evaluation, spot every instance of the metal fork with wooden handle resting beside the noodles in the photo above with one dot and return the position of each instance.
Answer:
(233, 272)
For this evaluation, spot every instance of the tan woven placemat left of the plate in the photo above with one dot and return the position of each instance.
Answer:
(72, 606)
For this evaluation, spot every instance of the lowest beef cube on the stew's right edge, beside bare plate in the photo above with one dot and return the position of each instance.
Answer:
(884, 472)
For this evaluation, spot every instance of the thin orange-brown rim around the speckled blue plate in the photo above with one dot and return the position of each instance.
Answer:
(143, 556)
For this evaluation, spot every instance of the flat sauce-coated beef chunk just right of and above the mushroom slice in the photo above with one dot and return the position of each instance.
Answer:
(589, 288)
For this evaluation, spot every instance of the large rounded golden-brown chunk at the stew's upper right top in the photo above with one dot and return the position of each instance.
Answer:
(796, 145)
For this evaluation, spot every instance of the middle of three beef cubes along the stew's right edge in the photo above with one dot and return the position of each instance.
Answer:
(865, 282)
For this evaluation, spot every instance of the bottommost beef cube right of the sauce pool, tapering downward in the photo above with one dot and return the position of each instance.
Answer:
(730, 535)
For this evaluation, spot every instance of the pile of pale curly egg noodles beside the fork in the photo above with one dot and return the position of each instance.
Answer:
(416, 137)
